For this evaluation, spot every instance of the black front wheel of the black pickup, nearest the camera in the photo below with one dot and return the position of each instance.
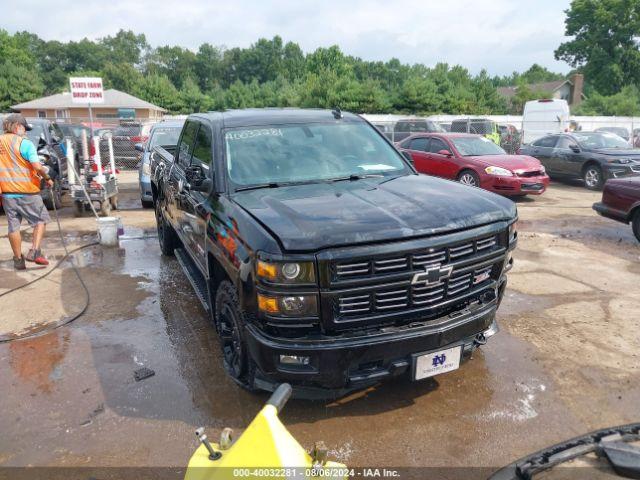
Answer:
(228, 320)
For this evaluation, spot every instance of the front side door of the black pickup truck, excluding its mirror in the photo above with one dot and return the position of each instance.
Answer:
(195, 214)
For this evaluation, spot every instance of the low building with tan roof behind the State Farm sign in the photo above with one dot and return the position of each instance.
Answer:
(117, 105)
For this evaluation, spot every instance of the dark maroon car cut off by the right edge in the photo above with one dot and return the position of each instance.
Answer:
(621, 202)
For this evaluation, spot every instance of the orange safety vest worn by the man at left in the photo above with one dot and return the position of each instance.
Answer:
(16, 174)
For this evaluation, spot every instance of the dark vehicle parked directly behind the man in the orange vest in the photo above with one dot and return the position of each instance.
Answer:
(47, 136)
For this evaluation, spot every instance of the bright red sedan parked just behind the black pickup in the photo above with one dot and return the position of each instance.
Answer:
(477, 161)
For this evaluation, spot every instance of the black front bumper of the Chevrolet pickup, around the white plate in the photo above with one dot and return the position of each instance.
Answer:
(339, 365)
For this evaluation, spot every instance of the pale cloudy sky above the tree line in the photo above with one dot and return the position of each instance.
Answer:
(500, 36)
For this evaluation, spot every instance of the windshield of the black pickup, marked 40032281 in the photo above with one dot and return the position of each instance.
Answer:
(308, 152)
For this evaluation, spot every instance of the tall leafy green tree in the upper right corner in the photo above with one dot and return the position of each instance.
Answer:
(604, 45)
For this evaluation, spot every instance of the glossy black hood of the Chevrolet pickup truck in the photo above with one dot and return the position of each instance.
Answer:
(316, 216)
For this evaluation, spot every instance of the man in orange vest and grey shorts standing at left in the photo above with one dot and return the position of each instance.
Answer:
(20, 176)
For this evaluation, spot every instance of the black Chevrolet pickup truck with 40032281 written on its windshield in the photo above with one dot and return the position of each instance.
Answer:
(322, 257)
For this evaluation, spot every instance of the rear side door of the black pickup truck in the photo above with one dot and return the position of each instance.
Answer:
(177, 192)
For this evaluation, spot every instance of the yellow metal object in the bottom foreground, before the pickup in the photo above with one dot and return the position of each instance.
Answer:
(266, 449)
